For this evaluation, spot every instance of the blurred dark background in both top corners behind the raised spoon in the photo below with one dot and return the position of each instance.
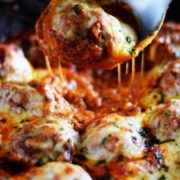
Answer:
(19, 15)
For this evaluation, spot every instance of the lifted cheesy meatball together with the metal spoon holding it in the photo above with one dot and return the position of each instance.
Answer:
(98, 34)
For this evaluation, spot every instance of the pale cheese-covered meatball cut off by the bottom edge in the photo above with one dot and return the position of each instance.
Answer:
(55, 171)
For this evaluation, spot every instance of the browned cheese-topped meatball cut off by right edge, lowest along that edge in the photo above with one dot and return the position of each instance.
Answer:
(165, 121)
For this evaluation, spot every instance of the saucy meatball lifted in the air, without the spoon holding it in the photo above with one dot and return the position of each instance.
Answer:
(85, 34)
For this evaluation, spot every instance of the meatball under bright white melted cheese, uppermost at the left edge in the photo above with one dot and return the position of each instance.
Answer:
(11, 57)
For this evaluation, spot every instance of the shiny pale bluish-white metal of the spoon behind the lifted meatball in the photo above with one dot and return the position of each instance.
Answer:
(149, 14)
